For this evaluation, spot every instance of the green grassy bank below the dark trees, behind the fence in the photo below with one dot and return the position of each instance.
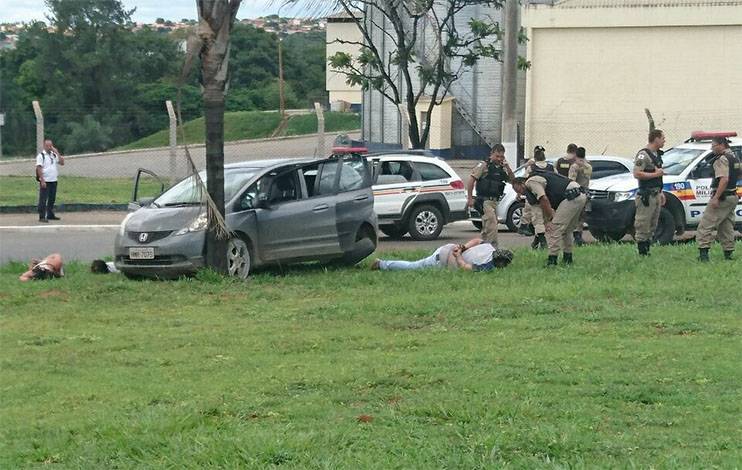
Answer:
(245, 125)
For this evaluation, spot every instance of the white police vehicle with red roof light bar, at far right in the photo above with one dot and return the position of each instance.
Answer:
(687, 189)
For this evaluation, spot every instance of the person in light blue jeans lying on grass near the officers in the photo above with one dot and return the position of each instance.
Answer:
(474, 255)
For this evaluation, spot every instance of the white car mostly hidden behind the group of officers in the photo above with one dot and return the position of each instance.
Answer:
(510, 207)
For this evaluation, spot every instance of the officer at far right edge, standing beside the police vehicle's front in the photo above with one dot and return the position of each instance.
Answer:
(719, 212)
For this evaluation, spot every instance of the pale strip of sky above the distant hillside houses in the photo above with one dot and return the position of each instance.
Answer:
(12, 11)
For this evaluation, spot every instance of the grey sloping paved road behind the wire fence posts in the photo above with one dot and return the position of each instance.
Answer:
(125, 164)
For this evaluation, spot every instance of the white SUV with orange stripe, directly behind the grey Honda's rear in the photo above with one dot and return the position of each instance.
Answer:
(417, 193)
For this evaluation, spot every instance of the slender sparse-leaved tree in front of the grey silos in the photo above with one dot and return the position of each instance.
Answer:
(428, 51)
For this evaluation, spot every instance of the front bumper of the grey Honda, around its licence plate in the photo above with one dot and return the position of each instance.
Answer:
(174, 256)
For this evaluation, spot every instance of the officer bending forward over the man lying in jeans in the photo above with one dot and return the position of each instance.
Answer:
(561, 202)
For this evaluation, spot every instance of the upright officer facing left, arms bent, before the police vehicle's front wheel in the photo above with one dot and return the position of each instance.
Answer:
(649, 198)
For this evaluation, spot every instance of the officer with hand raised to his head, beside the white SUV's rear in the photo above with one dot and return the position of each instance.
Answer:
(490, 177)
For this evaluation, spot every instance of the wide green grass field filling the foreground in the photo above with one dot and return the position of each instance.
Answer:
(613, 363)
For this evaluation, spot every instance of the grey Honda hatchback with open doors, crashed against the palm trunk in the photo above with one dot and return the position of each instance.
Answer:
(279, 211)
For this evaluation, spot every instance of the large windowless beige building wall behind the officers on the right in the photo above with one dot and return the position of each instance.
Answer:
(597, 64)
